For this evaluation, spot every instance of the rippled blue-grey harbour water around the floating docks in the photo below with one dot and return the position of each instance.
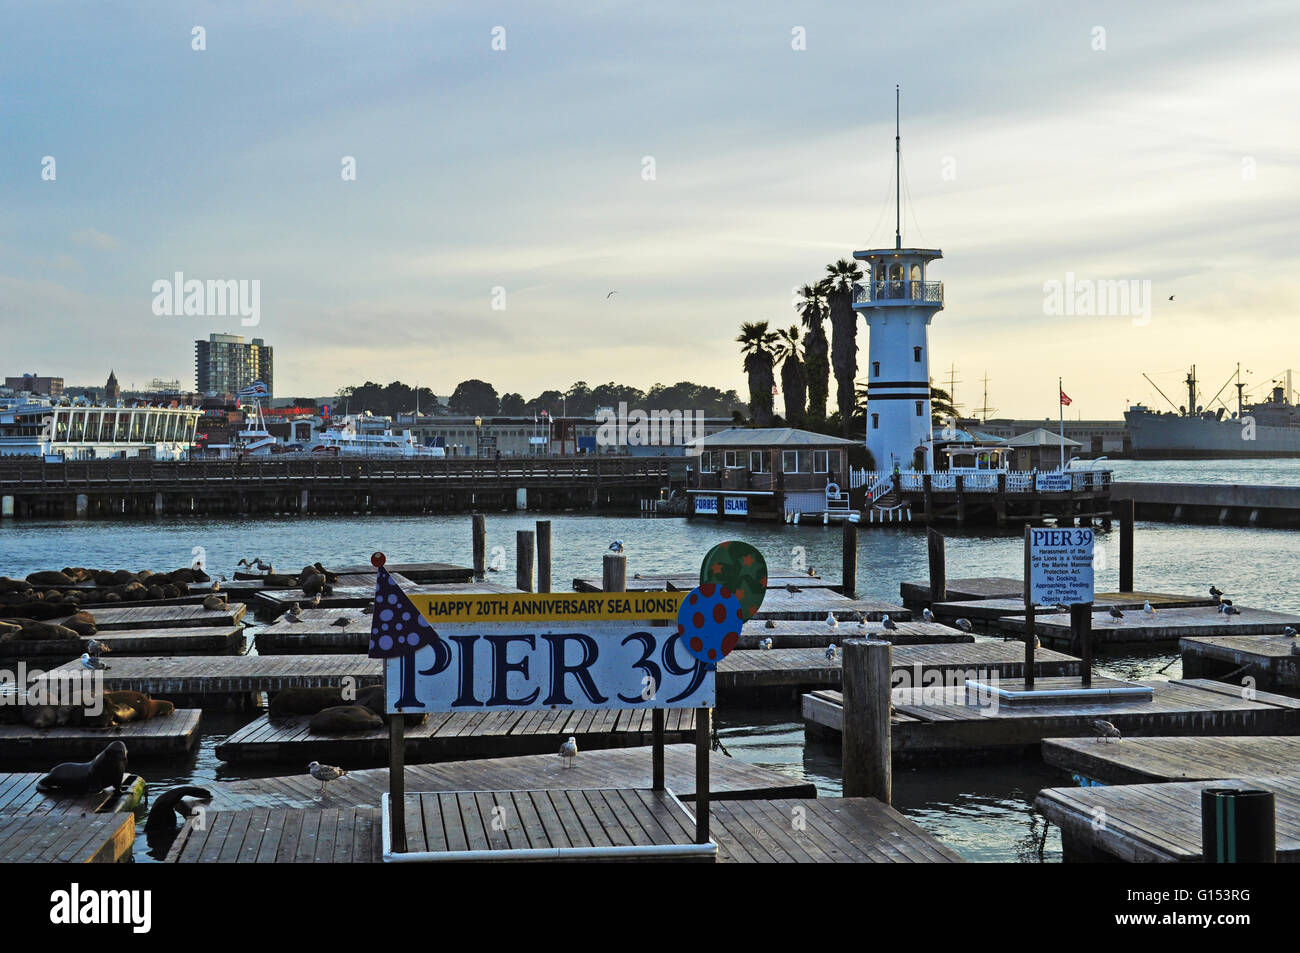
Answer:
(982, 812)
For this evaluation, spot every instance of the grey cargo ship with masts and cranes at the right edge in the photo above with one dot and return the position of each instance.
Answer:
(1267, 428)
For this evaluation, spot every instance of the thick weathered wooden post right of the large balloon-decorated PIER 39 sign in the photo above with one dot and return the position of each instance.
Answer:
(866, 734)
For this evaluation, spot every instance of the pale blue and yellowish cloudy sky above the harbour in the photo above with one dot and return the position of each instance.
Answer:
(703, 163)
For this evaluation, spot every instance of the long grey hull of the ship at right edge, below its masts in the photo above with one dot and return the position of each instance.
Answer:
(1175, 436)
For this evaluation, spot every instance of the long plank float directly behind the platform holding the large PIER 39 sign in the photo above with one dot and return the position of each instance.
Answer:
(614, 768)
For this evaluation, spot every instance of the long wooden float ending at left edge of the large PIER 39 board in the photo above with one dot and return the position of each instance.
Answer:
(224, 677)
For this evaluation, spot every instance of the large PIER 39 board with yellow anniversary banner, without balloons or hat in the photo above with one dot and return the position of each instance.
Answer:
(549, 652)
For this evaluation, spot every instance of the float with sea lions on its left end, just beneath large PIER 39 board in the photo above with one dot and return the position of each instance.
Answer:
(458, 735)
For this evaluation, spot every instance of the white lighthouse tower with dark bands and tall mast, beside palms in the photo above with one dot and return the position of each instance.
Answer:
(899, 302)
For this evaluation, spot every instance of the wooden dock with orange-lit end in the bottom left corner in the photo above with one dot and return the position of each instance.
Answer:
(67, 839)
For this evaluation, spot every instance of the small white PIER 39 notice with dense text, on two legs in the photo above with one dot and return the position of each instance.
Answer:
(1059, 573)
